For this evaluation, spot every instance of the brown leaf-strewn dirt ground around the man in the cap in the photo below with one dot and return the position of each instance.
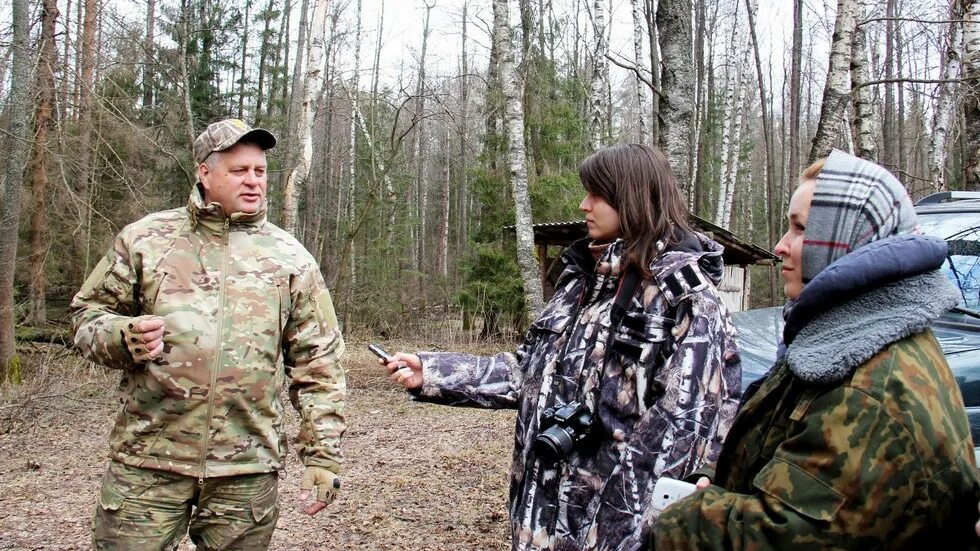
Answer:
(417, 476)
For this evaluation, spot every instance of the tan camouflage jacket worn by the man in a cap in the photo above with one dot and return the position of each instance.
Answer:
(244, 307)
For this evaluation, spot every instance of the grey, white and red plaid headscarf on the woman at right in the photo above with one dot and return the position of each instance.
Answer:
(855, 202)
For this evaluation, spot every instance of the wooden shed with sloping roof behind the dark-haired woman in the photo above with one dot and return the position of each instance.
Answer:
(551, 239)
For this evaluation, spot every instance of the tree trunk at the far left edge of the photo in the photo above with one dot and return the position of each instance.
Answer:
(19, 136)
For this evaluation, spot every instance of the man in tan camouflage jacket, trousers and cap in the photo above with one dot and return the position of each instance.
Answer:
(207, 310)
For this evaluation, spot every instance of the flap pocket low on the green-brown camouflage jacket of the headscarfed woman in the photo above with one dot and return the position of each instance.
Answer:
(798, 490)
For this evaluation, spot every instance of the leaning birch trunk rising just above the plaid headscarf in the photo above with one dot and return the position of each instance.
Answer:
(836, 91)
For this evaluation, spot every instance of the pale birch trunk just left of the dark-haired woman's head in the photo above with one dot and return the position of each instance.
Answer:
(517, 160)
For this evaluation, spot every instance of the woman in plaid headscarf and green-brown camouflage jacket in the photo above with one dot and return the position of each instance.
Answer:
(857, 438)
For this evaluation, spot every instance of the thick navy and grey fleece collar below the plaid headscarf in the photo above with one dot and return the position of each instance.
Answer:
(876, 295)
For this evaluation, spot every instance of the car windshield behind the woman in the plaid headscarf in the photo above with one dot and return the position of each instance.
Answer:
(961, 230)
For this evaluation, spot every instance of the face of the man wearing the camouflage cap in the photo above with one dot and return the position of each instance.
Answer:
(236, 178)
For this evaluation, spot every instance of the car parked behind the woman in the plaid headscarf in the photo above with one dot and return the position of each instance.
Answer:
(953, 216)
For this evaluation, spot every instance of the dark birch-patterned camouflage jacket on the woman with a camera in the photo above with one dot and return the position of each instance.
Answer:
(663, 388)
